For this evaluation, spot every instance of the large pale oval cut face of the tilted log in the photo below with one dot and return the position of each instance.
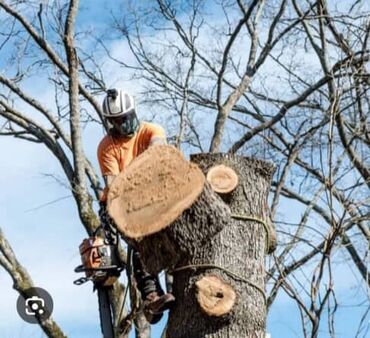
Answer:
(153, 191)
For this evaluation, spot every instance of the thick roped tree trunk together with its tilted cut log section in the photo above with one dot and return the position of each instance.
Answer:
(216, 257)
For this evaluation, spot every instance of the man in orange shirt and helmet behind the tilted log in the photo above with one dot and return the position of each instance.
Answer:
(126, 139)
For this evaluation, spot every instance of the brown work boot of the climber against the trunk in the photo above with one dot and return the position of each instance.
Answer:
(154, 305)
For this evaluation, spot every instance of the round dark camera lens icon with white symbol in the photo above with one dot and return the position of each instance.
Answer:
(35, 305)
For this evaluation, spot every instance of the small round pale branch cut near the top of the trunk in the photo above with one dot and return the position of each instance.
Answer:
(223, 179)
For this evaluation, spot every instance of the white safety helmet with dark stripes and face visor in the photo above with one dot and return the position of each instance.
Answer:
(120, 112)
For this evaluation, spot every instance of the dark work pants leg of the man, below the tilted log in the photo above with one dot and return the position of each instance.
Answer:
(146, 283)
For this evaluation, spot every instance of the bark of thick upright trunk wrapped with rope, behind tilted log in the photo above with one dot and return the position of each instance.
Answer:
(234, 255)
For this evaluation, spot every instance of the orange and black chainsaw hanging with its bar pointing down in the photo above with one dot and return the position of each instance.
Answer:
(102, 266)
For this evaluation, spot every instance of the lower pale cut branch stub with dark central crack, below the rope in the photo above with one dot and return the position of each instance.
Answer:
(215, 297)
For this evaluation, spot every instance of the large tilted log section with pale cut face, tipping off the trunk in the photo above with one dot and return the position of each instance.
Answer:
(163, 206)
